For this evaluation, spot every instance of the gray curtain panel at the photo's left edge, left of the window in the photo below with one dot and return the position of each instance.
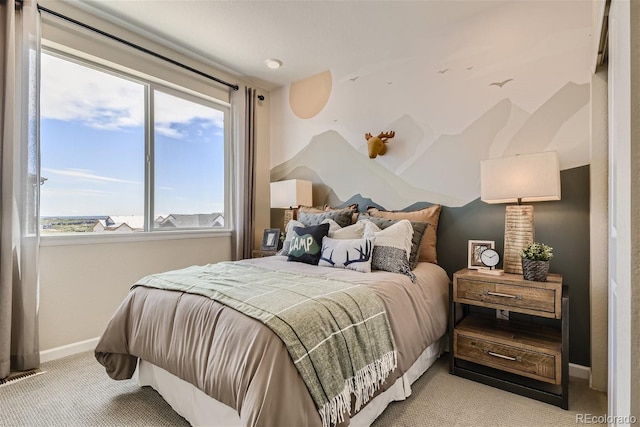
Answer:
(20, 185)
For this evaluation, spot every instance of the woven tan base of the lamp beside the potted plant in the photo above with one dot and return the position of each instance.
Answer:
(518, 233)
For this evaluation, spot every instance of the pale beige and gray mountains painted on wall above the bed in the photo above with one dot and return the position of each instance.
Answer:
(445, 170)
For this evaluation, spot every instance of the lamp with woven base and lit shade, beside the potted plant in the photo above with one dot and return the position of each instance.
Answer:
(517, 179)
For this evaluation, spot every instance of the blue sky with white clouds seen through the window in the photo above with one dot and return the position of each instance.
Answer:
(93, 146)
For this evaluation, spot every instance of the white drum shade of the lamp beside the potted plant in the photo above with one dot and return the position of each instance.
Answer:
(528, 177)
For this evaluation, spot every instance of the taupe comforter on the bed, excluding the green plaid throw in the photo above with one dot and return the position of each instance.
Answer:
(240, 361)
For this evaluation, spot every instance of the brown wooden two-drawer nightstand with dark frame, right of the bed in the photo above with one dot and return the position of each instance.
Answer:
(522, 355)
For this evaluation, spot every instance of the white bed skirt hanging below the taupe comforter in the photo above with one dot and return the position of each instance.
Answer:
(202, 410)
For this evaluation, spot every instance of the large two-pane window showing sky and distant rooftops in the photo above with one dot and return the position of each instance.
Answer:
(98, 129)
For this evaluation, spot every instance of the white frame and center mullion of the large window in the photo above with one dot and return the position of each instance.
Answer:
(150, 85)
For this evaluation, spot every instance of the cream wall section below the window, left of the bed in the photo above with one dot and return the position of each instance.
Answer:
(82, 285)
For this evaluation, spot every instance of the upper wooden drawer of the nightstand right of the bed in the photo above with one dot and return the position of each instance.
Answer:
(541, 301)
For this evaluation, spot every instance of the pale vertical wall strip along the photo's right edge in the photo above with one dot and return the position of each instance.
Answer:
(624, 199)
